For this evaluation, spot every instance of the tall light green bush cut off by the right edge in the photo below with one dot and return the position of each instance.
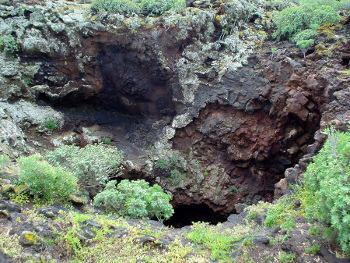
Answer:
(326, 192)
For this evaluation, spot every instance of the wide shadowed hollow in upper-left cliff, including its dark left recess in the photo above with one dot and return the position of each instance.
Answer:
(120, 79)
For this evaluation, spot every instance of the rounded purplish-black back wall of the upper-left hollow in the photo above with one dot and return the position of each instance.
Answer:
(134, 83)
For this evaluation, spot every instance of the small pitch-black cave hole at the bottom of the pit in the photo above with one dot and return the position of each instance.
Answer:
(185, 215)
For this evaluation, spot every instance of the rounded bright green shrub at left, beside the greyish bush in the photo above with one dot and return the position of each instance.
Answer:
(46, 182)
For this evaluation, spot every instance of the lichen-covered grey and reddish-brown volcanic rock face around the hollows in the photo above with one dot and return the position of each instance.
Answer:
(238, 114)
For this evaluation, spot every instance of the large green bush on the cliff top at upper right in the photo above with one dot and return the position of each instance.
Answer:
(299, 23)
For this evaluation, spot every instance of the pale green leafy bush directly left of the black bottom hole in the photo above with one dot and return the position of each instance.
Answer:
(135, 199)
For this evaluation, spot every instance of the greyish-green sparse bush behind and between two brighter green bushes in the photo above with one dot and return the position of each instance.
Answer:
(92, 165)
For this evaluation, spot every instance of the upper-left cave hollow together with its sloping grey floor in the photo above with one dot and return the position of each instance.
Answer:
(124, 97)
